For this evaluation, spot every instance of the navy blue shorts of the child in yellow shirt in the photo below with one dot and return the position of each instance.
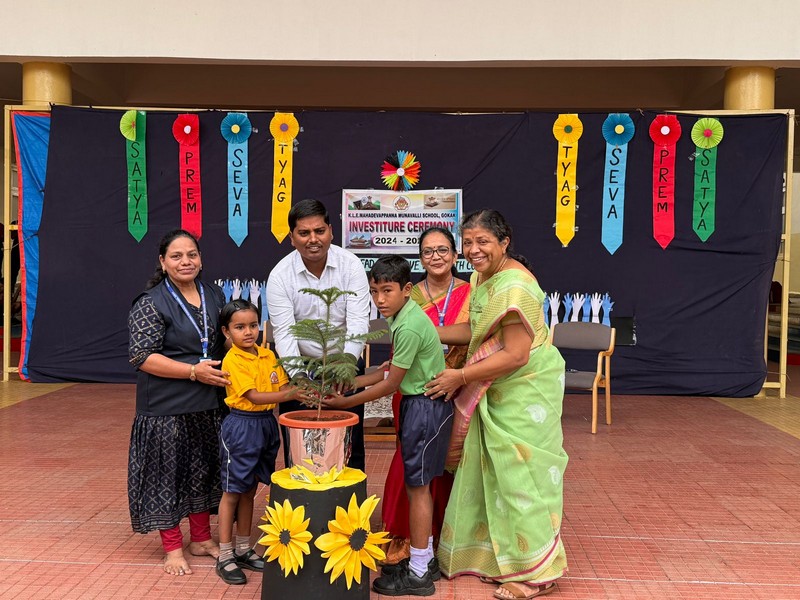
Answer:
(248, 445)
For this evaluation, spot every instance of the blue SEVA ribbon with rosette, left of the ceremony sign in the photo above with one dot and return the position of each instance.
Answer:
(236, 129)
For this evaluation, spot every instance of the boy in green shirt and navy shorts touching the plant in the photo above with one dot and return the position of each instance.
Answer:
(425, 424)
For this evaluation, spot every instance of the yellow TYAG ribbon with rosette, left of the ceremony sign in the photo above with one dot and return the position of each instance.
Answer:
(284, 129)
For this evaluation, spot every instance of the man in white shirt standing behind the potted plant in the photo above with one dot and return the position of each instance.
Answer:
(316, 263)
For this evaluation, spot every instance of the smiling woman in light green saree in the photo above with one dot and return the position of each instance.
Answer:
(503, 520)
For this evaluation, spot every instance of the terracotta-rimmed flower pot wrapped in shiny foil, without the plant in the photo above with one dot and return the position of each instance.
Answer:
(326, 441)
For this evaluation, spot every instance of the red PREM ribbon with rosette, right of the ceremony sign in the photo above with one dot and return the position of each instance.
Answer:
(665, 130)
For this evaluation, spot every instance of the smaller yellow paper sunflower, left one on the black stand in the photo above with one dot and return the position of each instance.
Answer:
(287, 536)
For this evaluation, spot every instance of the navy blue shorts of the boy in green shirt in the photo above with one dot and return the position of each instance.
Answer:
(425, 427)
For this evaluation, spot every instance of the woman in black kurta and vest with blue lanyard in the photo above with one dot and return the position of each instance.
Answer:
(173, 462)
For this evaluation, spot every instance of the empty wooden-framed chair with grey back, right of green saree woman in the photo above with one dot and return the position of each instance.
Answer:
(579, 335)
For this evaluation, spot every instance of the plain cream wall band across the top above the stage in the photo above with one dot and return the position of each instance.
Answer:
(358, 31)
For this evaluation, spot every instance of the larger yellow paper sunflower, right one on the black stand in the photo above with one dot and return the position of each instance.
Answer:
(350, 543)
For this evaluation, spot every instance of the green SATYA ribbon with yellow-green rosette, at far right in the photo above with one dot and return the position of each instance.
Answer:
(706, 134)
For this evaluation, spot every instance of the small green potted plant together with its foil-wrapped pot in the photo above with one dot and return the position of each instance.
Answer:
(320, 439)
